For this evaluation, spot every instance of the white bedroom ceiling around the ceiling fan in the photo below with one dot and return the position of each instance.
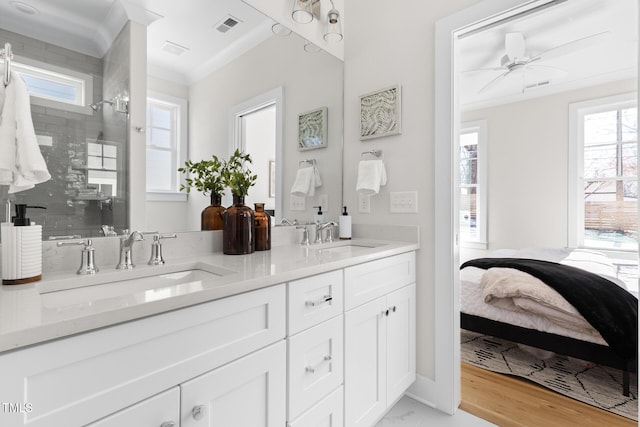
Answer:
(613, 57)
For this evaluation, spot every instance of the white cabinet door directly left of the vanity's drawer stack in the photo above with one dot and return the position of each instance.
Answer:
(250, 391)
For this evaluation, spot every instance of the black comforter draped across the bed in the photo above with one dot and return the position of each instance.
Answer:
(611, 310)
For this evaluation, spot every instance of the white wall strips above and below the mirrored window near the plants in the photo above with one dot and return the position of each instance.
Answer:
(167, 216)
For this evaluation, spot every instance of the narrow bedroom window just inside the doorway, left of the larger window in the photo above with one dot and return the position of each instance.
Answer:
(473, 205)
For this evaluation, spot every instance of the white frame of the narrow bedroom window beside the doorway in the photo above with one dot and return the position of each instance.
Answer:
(479, 127)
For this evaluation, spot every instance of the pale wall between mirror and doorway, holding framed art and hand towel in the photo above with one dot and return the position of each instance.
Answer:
(385, 44)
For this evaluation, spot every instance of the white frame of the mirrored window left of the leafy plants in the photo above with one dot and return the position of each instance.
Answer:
(179, 151)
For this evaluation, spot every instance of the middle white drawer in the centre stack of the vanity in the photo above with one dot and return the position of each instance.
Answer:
(316, 364)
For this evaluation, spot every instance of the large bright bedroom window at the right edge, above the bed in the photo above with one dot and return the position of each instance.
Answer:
(603, 210)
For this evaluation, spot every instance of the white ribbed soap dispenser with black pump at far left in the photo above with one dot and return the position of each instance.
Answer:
(22, 248)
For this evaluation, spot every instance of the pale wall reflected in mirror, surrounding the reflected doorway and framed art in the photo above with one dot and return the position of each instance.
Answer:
(309, 80)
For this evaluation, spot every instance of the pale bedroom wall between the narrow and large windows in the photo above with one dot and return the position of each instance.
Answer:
(527, 167)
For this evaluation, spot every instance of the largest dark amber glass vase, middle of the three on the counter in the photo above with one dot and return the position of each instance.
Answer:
(238, 233)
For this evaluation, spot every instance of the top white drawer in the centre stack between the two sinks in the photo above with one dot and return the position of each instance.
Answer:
(314, 299)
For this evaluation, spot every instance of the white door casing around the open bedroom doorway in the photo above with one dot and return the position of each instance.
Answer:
(447, 130)
